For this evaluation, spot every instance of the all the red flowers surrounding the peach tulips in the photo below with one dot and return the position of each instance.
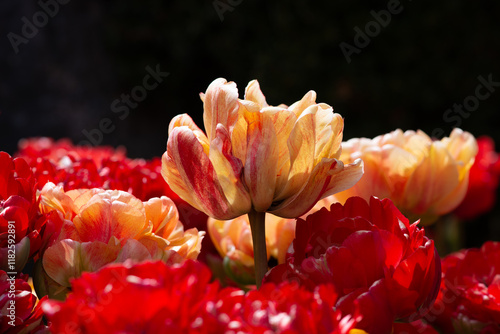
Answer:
(361, 265)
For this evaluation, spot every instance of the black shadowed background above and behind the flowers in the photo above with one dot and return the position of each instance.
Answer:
(65, 78)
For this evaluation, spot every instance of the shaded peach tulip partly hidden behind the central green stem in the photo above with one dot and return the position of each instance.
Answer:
(233, 240)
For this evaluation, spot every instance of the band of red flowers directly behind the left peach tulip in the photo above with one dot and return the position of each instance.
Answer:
(75, 167)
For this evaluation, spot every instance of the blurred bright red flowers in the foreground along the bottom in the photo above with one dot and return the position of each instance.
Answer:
(181, 299)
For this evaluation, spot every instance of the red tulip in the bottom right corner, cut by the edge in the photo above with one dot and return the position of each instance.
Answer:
(469, 299)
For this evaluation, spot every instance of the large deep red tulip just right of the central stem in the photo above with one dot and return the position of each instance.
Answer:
(372, 255)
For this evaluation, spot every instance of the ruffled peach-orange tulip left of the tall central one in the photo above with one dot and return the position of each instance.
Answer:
(105, 226)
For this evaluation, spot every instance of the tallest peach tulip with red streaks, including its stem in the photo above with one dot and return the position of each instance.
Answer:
(255, 158)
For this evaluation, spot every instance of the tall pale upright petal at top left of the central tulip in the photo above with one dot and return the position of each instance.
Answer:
(220, 106)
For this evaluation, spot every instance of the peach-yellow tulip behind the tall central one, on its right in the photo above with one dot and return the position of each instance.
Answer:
(424, 178)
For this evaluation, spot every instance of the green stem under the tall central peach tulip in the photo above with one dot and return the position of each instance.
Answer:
(258, 227)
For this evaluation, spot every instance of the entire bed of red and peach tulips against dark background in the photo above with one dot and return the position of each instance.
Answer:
(266, 222)
